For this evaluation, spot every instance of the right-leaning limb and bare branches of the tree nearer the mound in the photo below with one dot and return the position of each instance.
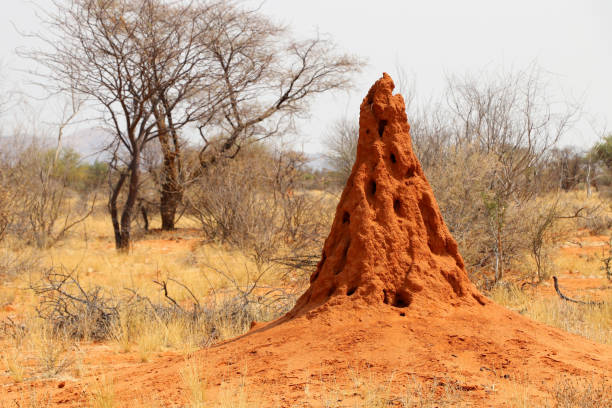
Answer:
(267, 78)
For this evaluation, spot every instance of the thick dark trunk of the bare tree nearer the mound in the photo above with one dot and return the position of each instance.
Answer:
(171, 193)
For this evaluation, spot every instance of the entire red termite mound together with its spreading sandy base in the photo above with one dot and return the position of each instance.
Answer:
(390, 301)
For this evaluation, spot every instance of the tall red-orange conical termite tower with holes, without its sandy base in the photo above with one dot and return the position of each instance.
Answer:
(388, 243)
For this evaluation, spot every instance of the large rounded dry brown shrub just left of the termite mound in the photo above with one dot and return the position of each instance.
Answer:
(256, 202)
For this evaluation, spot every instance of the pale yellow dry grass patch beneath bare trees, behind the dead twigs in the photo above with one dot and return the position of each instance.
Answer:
(153, 258)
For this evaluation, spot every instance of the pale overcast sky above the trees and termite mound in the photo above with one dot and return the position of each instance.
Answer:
(571, 39)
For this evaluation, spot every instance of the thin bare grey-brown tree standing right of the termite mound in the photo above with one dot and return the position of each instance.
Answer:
(512, 118)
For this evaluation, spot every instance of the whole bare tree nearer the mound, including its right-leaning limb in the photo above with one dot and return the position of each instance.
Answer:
(223, 66)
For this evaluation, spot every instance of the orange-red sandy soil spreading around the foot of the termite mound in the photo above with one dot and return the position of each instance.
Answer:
(487, 353)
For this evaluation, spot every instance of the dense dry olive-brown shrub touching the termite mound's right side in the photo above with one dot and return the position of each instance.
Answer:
(461, 183)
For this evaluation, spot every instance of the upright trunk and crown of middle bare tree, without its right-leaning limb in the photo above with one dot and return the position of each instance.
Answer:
(178, 69)
